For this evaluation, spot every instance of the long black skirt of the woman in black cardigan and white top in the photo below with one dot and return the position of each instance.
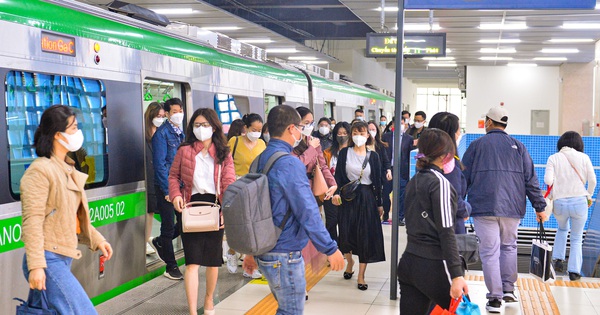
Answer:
(360, 227)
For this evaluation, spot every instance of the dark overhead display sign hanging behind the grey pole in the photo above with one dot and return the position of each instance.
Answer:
(383, 45)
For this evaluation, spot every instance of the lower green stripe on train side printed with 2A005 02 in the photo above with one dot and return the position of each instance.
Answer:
(102, 212)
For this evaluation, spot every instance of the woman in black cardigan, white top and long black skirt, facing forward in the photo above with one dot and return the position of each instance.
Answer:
(359, 223)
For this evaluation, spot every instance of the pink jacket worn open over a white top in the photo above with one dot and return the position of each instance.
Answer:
(182, 171)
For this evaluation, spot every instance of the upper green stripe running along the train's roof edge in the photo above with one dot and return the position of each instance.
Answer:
(63, 20)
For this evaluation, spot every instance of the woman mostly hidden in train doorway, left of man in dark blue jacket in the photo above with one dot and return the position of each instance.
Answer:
(154, 117)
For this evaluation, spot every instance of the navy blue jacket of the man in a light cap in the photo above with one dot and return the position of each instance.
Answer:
(500, 175)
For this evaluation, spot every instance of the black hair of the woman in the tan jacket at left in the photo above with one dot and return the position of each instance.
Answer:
(54, 119)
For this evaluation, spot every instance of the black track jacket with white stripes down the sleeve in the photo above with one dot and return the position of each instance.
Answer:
(431, 193)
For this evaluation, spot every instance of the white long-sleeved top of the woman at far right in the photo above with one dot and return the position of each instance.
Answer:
(561, 174)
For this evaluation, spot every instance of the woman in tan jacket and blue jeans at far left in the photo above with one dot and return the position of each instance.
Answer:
(56, 215)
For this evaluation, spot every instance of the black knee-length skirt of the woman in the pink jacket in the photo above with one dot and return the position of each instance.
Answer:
(203, 248)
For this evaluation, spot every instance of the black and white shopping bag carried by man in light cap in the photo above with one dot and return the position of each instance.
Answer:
(540, 265)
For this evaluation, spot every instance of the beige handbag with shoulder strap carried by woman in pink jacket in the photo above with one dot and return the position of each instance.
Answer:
(201, 216)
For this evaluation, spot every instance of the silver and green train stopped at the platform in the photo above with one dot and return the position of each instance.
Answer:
(65, 52)
